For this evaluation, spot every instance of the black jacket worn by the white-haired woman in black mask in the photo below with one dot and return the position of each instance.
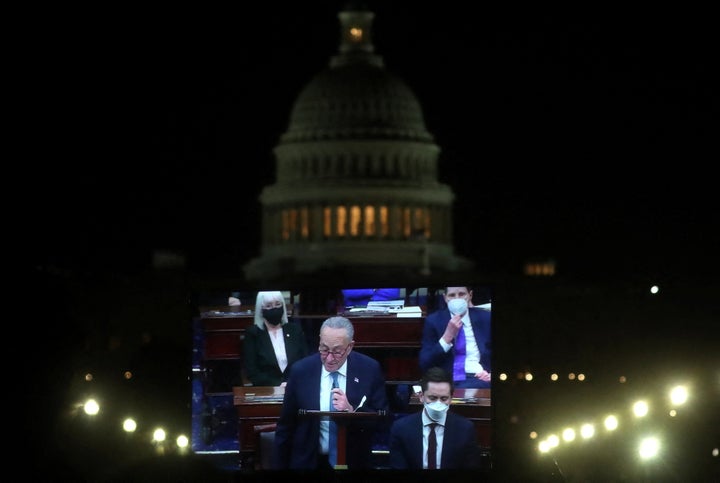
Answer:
(259, 362)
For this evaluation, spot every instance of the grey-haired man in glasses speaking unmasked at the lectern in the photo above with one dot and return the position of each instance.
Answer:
(334, 379)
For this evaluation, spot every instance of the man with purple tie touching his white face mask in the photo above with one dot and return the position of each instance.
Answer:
(457, 338)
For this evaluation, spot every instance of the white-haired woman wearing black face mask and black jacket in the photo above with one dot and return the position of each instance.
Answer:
(272, 344)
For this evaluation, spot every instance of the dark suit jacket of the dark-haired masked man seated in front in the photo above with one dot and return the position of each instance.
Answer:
(460, 449)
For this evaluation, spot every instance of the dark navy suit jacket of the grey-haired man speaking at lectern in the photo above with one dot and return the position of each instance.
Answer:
(297, 437)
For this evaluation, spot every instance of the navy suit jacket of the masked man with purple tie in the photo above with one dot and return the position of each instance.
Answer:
(432, 353)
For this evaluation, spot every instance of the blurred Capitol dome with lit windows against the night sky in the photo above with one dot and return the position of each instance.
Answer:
(356, 188)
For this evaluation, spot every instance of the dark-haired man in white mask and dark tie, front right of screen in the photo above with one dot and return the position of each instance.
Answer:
(453, 444)
